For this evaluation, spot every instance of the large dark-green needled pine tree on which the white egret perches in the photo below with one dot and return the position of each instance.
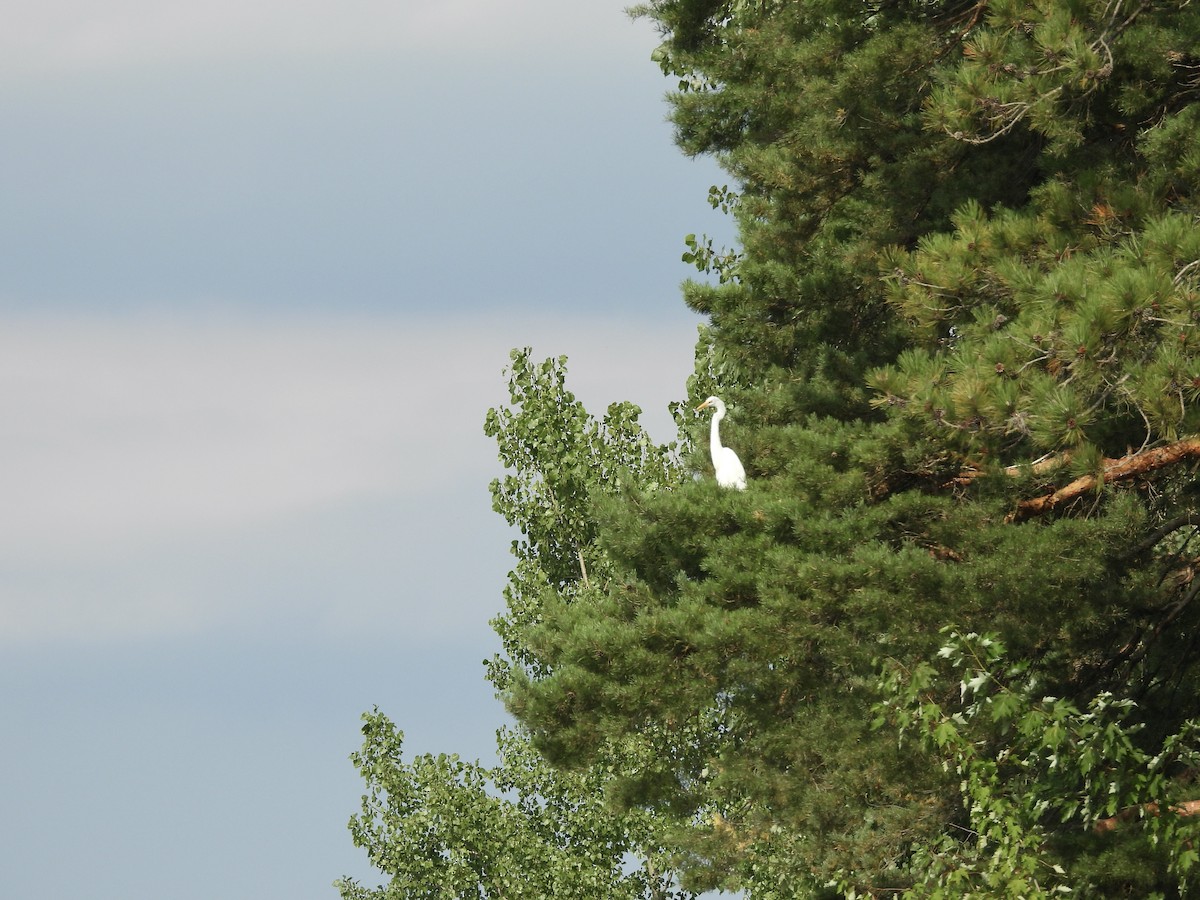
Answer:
(940, 205)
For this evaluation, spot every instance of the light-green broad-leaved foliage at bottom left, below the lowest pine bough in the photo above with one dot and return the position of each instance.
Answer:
(446, 830)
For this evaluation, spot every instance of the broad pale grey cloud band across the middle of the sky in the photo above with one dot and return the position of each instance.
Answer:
(167, 477)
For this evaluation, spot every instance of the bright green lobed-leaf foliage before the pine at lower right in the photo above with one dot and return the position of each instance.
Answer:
(1048, 789)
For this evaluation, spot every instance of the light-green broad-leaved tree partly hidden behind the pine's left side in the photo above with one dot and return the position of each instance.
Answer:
(445, 829)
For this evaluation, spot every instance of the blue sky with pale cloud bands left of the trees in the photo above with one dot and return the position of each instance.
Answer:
(263, 265)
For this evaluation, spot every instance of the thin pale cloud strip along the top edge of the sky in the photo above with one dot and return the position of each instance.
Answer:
(79, 37)
